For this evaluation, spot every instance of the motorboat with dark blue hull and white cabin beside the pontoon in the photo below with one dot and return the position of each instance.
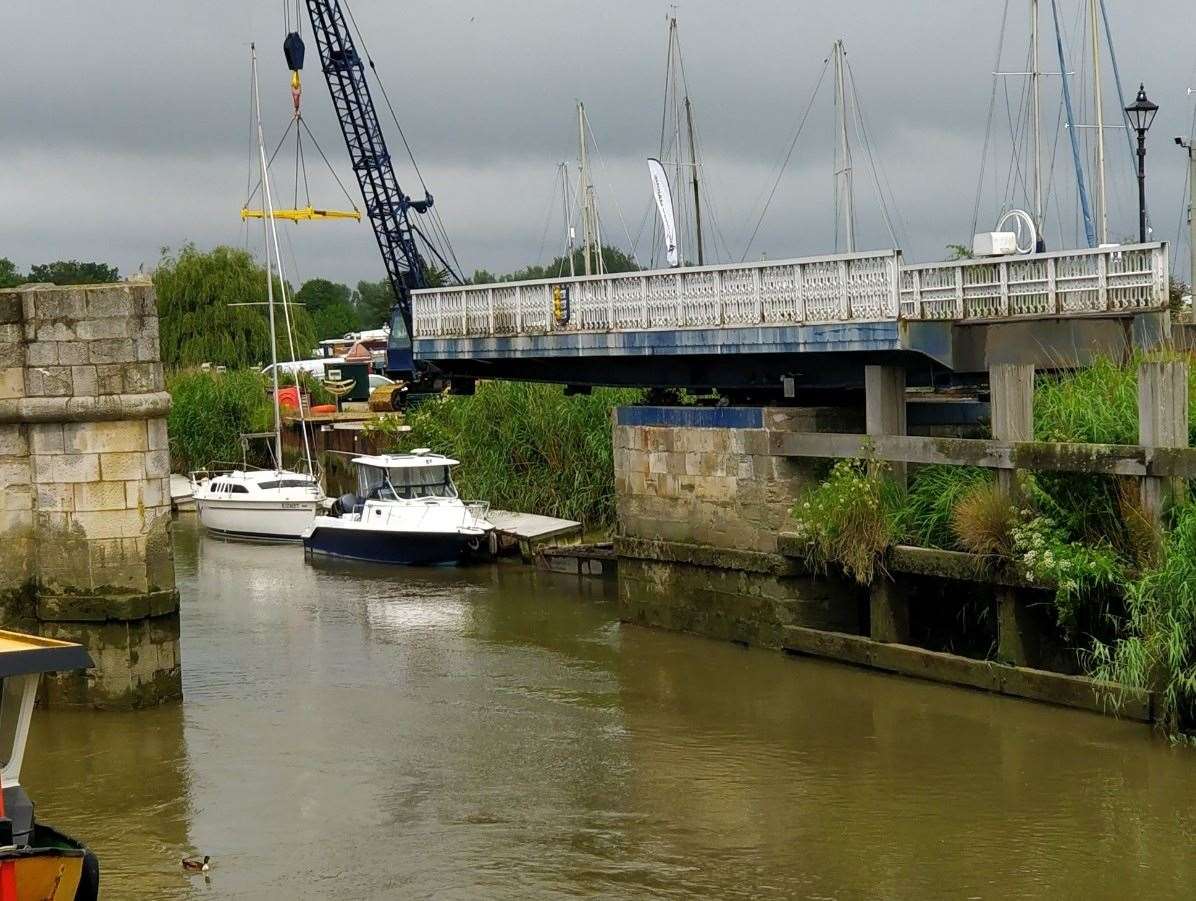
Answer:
(406, 512)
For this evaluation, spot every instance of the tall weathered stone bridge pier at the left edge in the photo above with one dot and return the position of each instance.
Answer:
(86, 545)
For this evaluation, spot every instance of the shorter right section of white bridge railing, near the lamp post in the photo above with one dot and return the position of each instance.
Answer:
(1127, 279)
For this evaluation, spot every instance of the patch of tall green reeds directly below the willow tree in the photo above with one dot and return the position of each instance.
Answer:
(211, 411)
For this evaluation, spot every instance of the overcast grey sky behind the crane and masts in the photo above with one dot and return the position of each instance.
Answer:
(126, 125)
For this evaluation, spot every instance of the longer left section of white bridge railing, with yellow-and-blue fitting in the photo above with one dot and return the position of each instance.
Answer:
(850, 288)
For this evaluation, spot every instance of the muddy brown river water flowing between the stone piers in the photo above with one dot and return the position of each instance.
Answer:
(495, 733)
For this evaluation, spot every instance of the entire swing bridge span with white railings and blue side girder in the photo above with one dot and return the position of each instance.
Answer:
(814, 321)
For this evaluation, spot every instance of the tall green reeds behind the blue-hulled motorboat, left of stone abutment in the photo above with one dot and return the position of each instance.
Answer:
(527, 447)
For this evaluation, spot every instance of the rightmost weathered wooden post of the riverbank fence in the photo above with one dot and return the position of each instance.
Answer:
(1162, 423)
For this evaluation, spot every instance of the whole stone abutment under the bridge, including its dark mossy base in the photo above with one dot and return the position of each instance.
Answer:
(700, 503)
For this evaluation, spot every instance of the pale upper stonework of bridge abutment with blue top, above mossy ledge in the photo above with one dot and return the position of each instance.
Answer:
(706, 477)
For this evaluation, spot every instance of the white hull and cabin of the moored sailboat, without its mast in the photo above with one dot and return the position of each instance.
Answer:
(258, 503)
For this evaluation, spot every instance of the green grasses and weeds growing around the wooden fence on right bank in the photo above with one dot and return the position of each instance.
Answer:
(1124, 592)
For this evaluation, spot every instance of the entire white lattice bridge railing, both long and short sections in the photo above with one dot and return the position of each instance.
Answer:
(827, 290)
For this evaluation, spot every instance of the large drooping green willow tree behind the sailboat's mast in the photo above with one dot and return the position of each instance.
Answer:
(200, 318)
